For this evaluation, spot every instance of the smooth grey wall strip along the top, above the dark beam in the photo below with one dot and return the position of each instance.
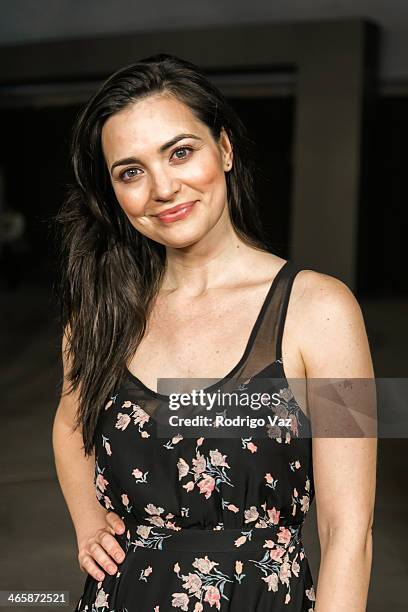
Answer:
(29, 20)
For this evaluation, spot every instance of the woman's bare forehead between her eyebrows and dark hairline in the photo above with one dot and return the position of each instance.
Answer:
(148, 122)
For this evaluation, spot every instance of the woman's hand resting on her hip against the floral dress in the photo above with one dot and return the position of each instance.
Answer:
(102, 549)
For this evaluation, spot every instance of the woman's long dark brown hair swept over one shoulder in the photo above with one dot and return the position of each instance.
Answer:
(109, 273)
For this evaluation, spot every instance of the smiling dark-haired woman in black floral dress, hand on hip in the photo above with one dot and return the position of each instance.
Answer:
(198, 521)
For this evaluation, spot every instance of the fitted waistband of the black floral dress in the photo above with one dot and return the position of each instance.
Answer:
(246, 538)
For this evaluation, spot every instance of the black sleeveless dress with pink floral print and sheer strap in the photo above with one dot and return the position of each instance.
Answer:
(212, 522)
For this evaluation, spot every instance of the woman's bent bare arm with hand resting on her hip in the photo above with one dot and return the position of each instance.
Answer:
(75, 474)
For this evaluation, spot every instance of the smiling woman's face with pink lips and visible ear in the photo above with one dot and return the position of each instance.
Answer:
(154, 166)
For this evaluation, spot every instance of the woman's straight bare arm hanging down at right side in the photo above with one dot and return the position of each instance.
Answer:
(336, 346)
